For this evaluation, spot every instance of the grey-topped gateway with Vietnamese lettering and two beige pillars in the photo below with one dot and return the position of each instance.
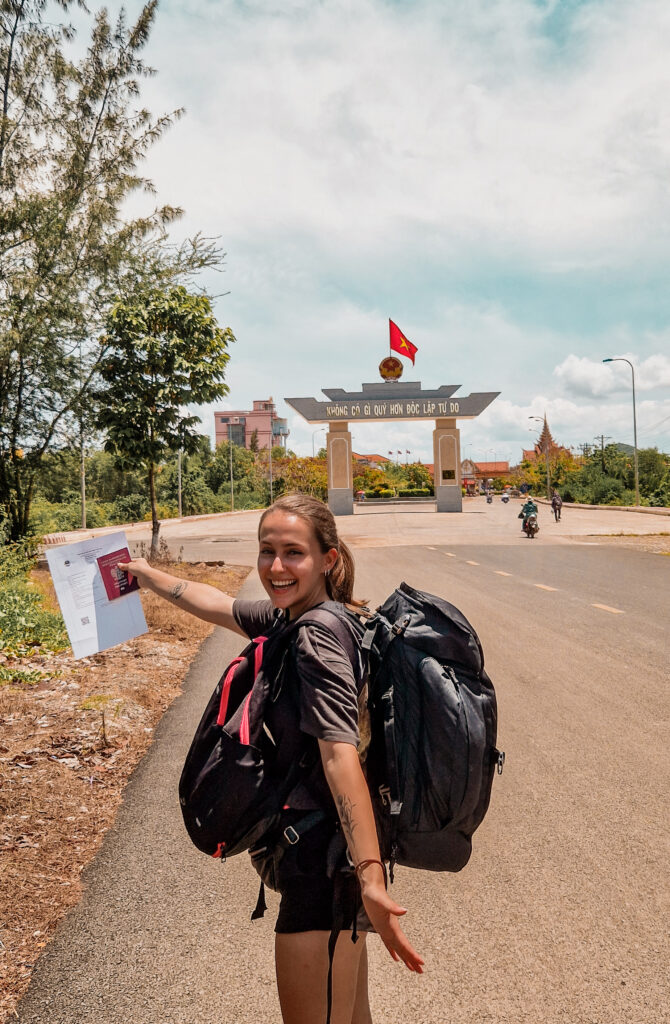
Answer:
(394, 401)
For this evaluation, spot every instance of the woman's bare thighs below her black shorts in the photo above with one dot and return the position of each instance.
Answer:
(302, 961)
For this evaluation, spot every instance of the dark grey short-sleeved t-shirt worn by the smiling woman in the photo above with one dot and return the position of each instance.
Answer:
(327, 691)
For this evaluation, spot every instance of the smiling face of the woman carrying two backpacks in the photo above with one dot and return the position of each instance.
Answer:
(291, 565)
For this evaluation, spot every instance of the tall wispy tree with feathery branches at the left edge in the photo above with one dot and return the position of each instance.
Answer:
(72, 137)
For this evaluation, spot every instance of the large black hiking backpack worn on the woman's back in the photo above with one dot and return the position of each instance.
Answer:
(434, 720)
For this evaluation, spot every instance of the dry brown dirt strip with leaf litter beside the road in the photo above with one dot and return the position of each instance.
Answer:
(68, 746)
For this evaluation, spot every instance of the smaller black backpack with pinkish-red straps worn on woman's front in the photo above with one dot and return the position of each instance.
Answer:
(230, 796)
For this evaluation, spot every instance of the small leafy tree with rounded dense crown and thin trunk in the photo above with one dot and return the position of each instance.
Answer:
(163, 350)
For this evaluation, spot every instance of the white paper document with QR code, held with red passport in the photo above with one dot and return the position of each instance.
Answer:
(100, 606)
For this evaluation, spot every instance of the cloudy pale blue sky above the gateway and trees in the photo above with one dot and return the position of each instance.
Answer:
(493, 176)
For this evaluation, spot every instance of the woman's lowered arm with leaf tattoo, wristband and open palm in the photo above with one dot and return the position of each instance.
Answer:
(352, 797)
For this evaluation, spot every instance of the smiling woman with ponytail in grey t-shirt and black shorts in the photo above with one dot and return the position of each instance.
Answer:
(313, 721)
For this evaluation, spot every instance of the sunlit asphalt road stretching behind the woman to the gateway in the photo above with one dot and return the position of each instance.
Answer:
(562, 916)
